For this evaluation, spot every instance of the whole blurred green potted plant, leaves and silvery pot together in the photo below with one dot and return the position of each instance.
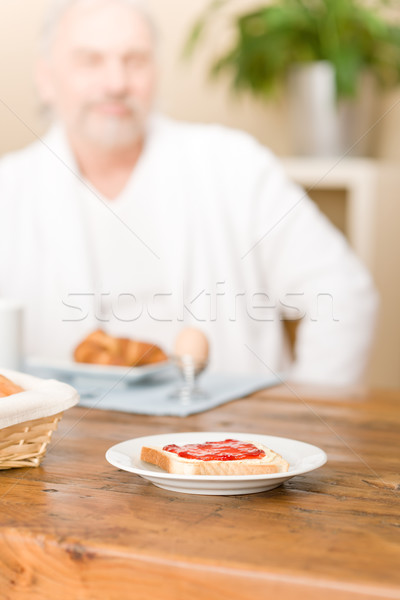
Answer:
(322, 49)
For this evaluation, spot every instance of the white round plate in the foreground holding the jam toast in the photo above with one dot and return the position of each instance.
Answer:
(302, 458)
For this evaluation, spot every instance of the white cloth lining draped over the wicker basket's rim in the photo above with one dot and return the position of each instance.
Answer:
(42, 398)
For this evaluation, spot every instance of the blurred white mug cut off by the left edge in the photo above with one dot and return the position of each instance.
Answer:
(11, 315)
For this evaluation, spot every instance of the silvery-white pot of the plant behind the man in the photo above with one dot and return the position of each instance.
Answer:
(322, 126)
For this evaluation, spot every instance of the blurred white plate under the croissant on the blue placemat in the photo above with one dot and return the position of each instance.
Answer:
(72, 369)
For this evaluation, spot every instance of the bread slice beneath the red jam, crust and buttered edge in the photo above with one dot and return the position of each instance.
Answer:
(172, 463)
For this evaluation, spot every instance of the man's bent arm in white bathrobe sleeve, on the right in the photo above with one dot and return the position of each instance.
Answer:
(316, 277)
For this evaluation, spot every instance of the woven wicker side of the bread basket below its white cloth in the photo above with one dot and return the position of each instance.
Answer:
(24, 444)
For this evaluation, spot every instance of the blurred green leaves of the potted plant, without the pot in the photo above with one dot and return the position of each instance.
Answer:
(271, 38)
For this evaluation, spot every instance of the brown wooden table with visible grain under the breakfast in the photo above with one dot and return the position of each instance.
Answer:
(78, 528)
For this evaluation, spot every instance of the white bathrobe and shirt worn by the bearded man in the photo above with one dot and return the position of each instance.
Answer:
(208, 232)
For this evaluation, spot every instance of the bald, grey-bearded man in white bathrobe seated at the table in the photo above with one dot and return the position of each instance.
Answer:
(128, 221)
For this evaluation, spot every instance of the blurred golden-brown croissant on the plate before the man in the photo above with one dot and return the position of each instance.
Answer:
(102, 349)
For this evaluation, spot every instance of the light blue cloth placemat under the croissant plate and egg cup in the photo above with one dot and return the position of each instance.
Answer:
(151, 397)
